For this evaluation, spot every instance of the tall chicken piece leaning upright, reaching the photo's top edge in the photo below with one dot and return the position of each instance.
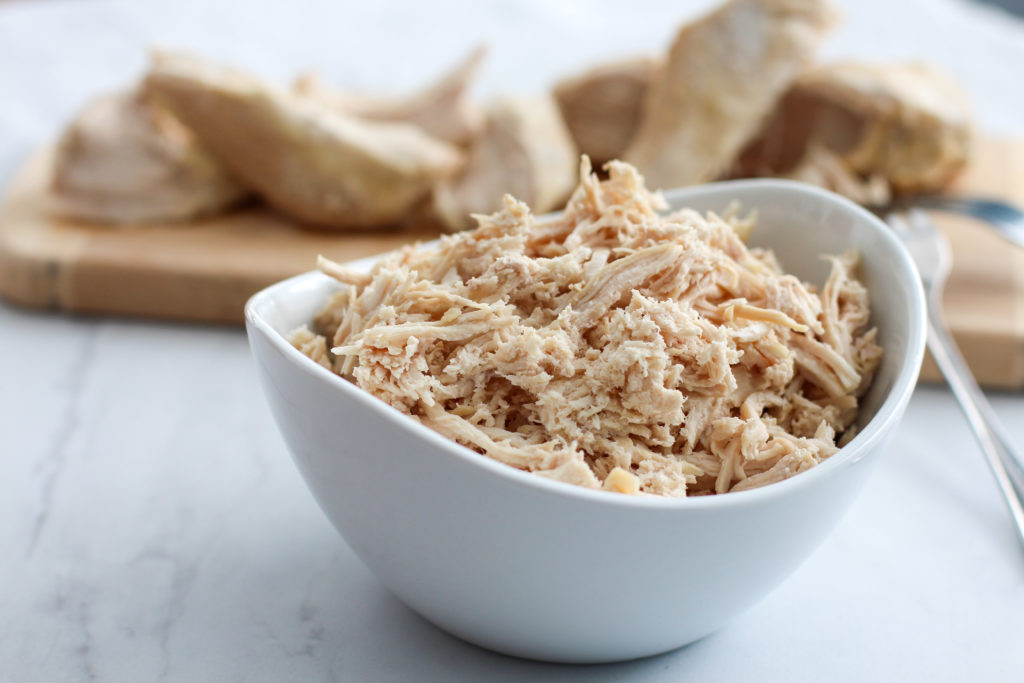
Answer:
(722, 77)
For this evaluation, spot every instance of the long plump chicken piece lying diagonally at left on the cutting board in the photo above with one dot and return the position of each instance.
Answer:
(307, 160)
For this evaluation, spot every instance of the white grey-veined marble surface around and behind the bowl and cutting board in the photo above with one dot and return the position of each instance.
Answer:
(153, 528)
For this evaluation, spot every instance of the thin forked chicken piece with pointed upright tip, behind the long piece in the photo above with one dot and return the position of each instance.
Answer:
(443, 110)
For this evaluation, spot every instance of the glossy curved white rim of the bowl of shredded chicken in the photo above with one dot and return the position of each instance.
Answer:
(864, 443)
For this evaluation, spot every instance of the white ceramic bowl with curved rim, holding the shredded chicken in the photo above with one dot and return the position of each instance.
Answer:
(548, 571)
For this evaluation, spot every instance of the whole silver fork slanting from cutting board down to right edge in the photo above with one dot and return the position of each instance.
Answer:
(934, 260)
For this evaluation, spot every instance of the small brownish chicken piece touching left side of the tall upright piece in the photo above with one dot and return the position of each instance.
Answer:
(604, 106)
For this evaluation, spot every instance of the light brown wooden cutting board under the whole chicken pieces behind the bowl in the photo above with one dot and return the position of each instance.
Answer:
(206, 271)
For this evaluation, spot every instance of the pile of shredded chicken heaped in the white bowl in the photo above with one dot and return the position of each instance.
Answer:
(611, 347)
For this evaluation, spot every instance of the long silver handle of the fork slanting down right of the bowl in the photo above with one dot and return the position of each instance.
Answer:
(999, 452)
